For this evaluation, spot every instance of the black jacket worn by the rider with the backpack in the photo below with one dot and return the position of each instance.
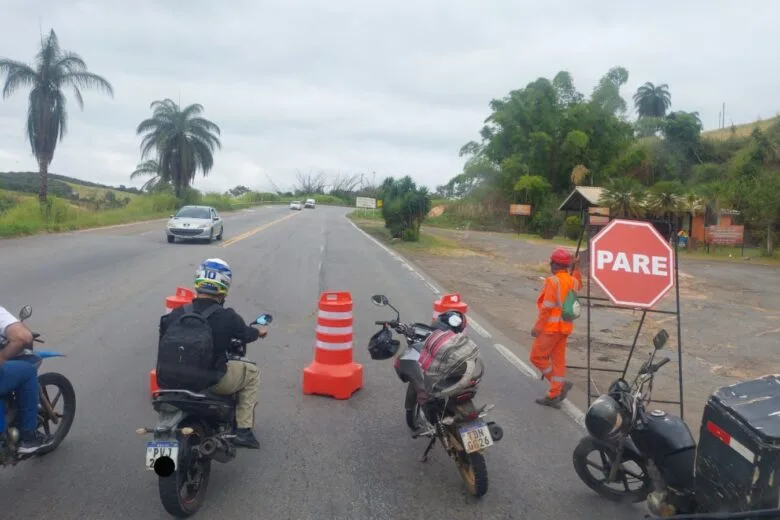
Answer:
(225, 325)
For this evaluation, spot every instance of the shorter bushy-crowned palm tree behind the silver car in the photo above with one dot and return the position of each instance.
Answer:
(183, 141)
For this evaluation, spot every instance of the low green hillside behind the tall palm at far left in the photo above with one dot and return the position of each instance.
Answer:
(63, 186)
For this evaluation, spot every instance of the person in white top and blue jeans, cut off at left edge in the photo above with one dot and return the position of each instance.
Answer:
(22, 377)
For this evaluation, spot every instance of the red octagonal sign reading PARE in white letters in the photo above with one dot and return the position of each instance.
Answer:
(632, 263)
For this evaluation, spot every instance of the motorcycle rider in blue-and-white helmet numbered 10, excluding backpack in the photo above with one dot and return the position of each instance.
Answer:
(212, 283)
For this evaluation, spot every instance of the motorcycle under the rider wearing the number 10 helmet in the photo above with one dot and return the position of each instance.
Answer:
(193, 428)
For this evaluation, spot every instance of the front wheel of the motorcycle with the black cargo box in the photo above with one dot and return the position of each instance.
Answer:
(606, 456)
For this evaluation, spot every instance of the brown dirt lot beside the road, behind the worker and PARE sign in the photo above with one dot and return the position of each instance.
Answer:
(729, 318)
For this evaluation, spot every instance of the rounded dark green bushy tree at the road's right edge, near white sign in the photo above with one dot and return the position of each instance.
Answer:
(405, 207)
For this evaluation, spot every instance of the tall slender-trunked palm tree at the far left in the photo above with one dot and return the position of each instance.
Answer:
(54, 71)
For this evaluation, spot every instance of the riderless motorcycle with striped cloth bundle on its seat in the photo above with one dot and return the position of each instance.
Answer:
(451, 418)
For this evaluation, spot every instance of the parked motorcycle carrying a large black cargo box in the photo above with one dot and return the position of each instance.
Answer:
(678, 477)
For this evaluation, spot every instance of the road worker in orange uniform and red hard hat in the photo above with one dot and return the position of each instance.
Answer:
(551, 331)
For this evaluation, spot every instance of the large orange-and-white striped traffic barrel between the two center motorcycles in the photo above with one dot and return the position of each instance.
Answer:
(333, 372)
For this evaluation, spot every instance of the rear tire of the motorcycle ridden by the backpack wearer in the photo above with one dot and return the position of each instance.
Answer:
(189, 467)
